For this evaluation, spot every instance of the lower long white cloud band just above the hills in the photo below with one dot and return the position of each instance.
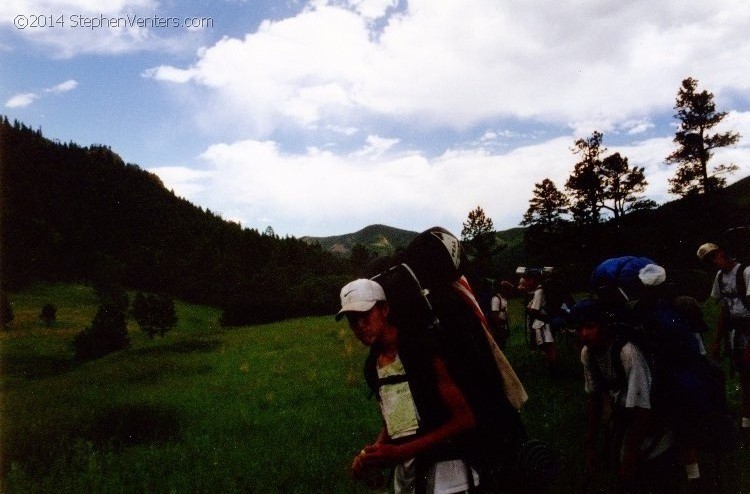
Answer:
(320, 192)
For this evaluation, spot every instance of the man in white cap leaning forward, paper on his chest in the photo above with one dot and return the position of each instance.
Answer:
(425, 415)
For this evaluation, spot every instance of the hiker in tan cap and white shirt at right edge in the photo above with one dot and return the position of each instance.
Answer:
(733, 323)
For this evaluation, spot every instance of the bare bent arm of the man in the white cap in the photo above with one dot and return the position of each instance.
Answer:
(461, 421)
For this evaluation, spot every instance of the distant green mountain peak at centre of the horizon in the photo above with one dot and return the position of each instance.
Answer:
(382, 239)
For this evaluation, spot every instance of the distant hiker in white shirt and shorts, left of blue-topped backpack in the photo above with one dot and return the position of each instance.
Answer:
(539, 318)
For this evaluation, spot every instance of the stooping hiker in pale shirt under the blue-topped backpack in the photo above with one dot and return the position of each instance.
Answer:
(647, 459)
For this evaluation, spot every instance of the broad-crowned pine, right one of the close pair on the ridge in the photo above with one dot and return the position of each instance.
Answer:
(622, 186)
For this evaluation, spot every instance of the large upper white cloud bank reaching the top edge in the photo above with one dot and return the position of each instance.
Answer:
(544, 62)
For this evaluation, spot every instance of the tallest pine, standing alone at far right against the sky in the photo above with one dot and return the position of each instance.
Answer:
(697, 114)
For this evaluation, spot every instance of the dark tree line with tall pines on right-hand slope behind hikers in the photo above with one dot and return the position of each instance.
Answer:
(601, 211)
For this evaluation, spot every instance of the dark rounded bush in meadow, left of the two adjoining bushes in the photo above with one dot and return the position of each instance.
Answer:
(108, 333)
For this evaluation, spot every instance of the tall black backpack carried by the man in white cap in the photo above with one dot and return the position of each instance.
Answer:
(440, 314)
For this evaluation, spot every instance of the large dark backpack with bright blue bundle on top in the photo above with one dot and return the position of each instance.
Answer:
(688, 391)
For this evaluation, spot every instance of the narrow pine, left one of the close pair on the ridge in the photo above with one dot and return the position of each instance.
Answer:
(584, 185)
